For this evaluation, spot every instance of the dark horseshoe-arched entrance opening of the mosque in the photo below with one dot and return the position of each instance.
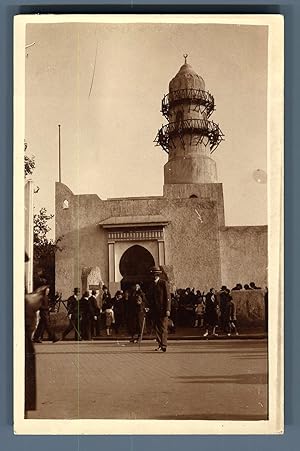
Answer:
(135, 266)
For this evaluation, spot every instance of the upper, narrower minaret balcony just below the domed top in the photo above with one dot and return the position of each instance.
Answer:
(199, 100)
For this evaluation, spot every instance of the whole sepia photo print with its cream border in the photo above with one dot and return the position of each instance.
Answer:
(148, 216)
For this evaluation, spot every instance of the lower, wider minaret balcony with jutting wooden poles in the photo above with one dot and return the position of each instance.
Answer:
(199, 131)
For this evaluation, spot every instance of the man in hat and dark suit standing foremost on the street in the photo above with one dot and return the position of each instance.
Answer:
(160, 305)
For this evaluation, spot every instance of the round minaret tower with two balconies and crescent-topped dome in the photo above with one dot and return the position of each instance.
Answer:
(189, 137)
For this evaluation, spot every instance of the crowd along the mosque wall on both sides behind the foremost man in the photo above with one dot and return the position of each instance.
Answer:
(130, 312)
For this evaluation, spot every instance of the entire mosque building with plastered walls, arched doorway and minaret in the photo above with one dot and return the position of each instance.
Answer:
(117, 241)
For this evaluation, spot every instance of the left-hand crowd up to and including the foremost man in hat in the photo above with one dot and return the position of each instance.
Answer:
(90, 316)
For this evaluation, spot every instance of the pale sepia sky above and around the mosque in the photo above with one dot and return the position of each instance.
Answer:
(107, 137)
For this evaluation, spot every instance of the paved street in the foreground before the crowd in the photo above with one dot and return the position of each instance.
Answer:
(223, 379)
